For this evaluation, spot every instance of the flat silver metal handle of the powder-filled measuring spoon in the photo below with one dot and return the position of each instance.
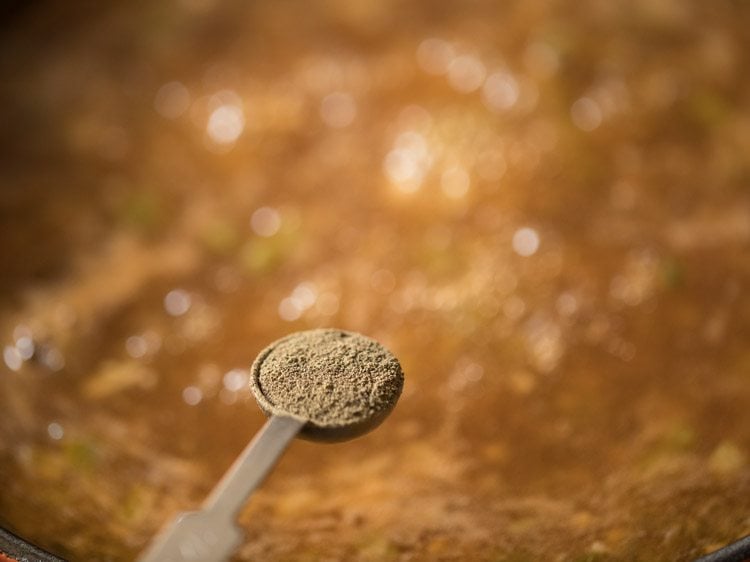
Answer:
(211, 534)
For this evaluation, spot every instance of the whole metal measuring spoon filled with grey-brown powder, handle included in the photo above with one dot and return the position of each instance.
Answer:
(324, 385)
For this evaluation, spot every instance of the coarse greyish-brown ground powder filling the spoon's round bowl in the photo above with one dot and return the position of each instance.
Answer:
(331, 377)
